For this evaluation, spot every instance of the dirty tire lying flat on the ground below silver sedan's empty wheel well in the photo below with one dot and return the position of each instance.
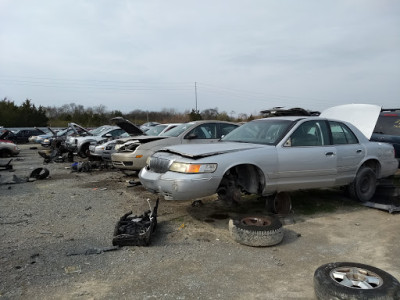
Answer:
(257, 231)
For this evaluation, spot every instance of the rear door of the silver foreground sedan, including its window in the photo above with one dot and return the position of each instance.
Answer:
(349, 152)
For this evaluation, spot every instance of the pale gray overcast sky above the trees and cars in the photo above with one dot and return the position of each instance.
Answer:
(245, 56)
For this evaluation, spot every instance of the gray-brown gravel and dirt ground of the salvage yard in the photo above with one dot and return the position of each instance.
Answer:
(48, 225)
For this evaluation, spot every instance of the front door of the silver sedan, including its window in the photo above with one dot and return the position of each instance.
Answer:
(306, 159)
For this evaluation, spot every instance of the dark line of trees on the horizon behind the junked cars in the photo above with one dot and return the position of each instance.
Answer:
(29, 115)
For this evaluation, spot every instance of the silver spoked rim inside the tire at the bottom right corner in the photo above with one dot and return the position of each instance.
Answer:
(356, 278)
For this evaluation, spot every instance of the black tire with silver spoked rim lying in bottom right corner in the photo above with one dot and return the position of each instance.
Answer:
(349, 280)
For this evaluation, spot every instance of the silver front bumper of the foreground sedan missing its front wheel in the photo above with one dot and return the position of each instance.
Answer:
(179, 186)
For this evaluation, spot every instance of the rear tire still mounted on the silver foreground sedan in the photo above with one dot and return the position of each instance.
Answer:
(364, 185)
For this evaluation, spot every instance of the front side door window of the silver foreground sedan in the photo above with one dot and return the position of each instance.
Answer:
(310, 133)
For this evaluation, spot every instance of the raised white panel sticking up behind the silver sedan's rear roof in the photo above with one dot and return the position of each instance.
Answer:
(363, 116)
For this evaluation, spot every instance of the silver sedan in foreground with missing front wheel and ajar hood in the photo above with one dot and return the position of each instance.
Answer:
(273, 155)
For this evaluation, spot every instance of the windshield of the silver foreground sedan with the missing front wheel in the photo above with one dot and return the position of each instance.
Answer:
(265, 131)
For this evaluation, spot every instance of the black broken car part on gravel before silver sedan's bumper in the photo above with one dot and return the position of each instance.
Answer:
(133, 230)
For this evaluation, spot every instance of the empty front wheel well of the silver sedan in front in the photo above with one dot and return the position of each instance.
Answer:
(249, 177)
